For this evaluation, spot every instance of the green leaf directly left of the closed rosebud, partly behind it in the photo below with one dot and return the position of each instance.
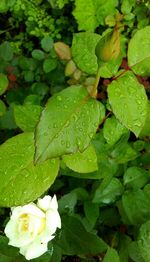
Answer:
(83, 51)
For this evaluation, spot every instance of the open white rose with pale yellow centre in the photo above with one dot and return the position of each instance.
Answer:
(32, 226)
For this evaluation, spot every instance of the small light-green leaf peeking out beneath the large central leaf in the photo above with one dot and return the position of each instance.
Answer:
(85, 162)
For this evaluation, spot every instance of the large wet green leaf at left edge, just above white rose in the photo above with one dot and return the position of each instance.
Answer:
(22, 181)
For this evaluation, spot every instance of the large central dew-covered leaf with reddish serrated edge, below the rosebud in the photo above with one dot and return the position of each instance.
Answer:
(77, 117)
